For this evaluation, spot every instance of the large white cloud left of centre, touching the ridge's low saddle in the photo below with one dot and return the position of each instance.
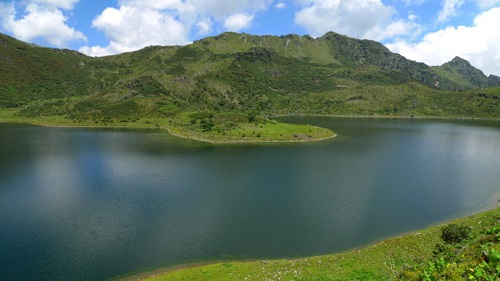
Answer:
(139, 23)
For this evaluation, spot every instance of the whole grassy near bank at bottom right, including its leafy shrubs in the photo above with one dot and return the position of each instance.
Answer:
(421, 255)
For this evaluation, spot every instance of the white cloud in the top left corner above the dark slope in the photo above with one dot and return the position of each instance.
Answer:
(40, 22)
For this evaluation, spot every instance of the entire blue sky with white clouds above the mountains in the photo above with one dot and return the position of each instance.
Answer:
(428, 31)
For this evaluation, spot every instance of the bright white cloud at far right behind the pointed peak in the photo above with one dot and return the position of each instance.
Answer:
(479, 43)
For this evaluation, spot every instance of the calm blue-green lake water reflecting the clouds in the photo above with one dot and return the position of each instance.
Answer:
(88, 204)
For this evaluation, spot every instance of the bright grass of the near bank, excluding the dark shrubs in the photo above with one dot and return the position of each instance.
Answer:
(400, 258)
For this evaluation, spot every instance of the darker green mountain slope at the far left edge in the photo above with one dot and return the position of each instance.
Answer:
(28, 73)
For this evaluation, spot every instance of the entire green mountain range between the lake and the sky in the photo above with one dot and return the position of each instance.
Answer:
(333, 74)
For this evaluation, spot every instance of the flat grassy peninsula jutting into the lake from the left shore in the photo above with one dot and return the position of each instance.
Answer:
(207, 127)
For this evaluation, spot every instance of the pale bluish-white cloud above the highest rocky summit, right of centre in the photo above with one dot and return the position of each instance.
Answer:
(369, 19)
